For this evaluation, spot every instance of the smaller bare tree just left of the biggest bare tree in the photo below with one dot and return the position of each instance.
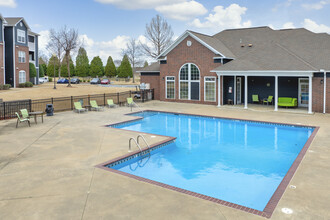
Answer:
(133, 52)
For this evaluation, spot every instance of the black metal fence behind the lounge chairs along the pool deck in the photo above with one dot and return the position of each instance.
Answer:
(8, 109)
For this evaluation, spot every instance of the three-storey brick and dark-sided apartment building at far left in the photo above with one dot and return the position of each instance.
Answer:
(18, 47)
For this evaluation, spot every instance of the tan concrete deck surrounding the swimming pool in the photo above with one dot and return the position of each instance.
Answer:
(48, 171)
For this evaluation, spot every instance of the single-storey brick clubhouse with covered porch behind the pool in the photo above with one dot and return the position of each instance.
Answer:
(231, 66)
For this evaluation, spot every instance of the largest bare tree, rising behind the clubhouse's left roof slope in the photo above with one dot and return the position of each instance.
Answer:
(160, 34)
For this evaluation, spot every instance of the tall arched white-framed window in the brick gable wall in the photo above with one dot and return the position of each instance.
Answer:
(189, 82)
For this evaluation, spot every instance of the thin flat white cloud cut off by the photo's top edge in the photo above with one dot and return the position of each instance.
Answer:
(139, 4)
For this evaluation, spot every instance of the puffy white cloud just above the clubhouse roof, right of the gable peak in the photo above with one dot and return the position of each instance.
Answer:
(230, 17)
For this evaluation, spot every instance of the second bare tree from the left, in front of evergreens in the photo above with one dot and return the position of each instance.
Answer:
(70, 43)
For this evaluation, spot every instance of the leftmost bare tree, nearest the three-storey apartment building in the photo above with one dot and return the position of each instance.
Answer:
(55, 47)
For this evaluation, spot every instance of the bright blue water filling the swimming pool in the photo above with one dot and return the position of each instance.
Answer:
(237, 161)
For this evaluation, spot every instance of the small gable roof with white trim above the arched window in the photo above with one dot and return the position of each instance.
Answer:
(212, 44)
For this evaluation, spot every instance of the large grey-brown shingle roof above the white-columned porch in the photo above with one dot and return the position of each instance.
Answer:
(291, 49)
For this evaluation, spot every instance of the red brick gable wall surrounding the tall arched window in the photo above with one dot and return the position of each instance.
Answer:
(198, 54)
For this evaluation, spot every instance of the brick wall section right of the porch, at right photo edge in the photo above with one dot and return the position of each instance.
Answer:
(318, 89)
